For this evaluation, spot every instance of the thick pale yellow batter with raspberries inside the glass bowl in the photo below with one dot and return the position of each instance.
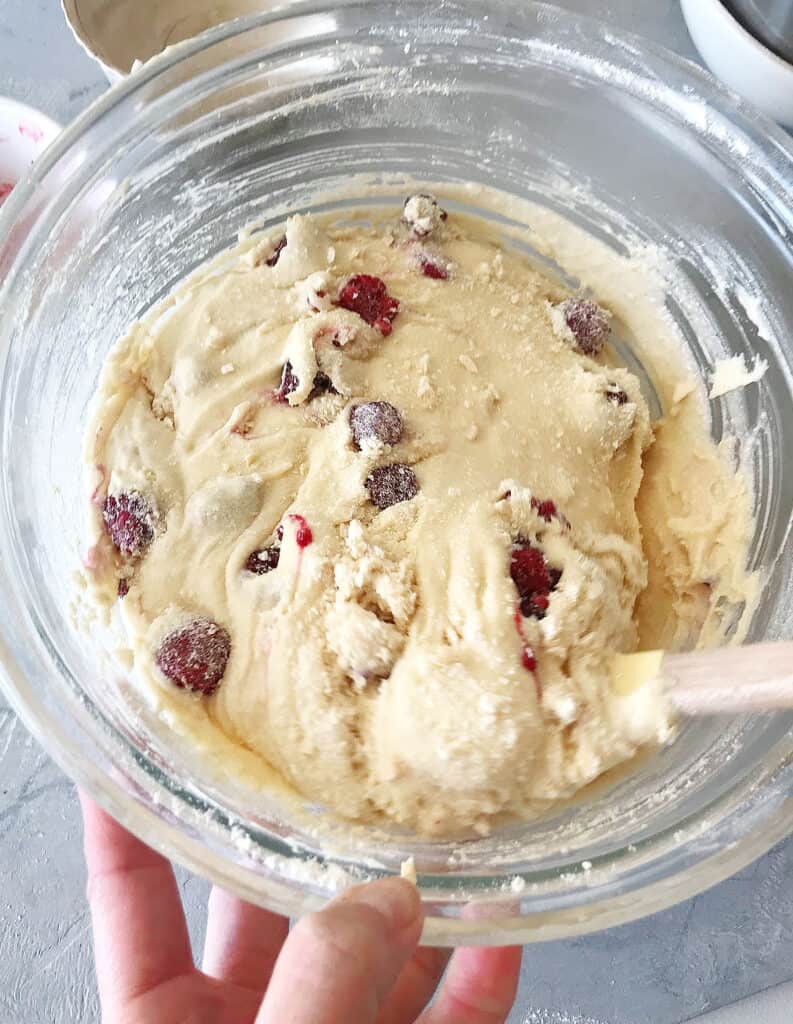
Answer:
(377, 502)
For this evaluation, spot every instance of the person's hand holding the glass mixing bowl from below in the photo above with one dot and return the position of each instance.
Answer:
(356, 962)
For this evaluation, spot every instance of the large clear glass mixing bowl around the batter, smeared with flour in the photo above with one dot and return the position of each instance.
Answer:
(256, 119)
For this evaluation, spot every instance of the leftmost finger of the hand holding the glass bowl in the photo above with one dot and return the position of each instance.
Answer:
(140, 934)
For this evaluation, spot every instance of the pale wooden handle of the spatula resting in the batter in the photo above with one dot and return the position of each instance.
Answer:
(731, 680)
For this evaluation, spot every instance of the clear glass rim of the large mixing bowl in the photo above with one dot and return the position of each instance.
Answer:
(173, 841)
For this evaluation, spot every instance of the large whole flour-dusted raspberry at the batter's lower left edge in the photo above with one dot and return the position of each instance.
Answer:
(195, 656)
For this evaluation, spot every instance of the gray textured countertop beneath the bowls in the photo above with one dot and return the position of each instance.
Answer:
(725, 945)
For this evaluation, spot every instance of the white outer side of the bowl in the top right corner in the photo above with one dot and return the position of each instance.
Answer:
(740, 60)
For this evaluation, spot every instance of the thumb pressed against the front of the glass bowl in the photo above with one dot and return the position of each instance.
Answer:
(341, 964)
